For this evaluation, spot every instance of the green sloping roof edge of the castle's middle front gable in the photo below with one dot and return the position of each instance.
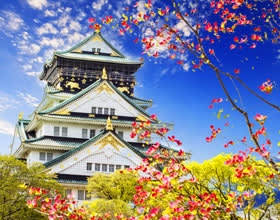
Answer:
(89, 88)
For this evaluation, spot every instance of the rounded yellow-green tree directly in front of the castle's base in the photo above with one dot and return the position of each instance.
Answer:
(114, 193)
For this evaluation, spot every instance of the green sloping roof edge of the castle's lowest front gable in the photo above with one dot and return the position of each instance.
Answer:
(92, 140)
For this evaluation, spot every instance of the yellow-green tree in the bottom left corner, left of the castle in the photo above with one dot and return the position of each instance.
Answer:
(15, 179)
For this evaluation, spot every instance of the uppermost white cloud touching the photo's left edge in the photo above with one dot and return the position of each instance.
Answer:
(10, 22)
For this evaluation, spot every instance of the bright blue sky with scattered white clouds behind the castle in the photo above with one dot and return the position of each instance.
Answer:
(30, 30)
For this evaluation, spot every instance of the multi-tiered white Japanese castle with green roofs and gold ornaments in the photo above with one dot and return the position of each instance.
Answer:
(84, 121)
